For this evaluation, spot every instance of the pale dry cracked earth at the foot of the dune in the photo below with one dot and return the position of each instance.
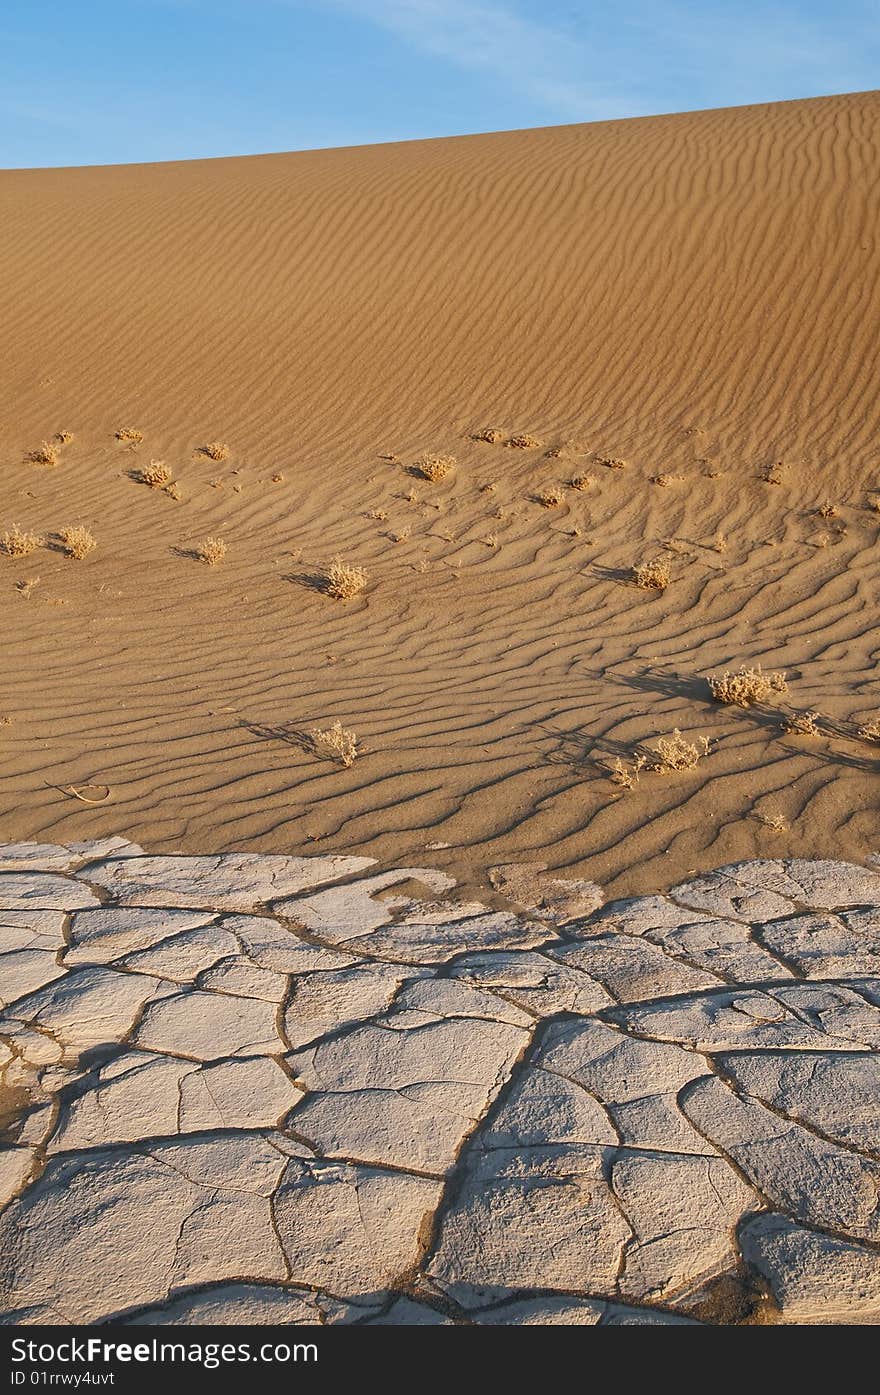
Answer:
(295, 1090)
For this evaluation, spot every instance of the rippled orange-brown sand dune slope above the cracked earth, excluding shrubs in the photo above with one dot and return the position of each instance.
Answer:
(694, 295)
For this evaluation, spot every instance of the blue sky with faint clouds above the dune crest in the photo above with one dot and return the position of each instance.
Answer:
(107, 82)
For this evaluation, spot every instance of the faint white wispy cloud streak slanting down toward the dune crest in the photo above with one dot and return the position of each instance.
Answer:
(540, 59)
